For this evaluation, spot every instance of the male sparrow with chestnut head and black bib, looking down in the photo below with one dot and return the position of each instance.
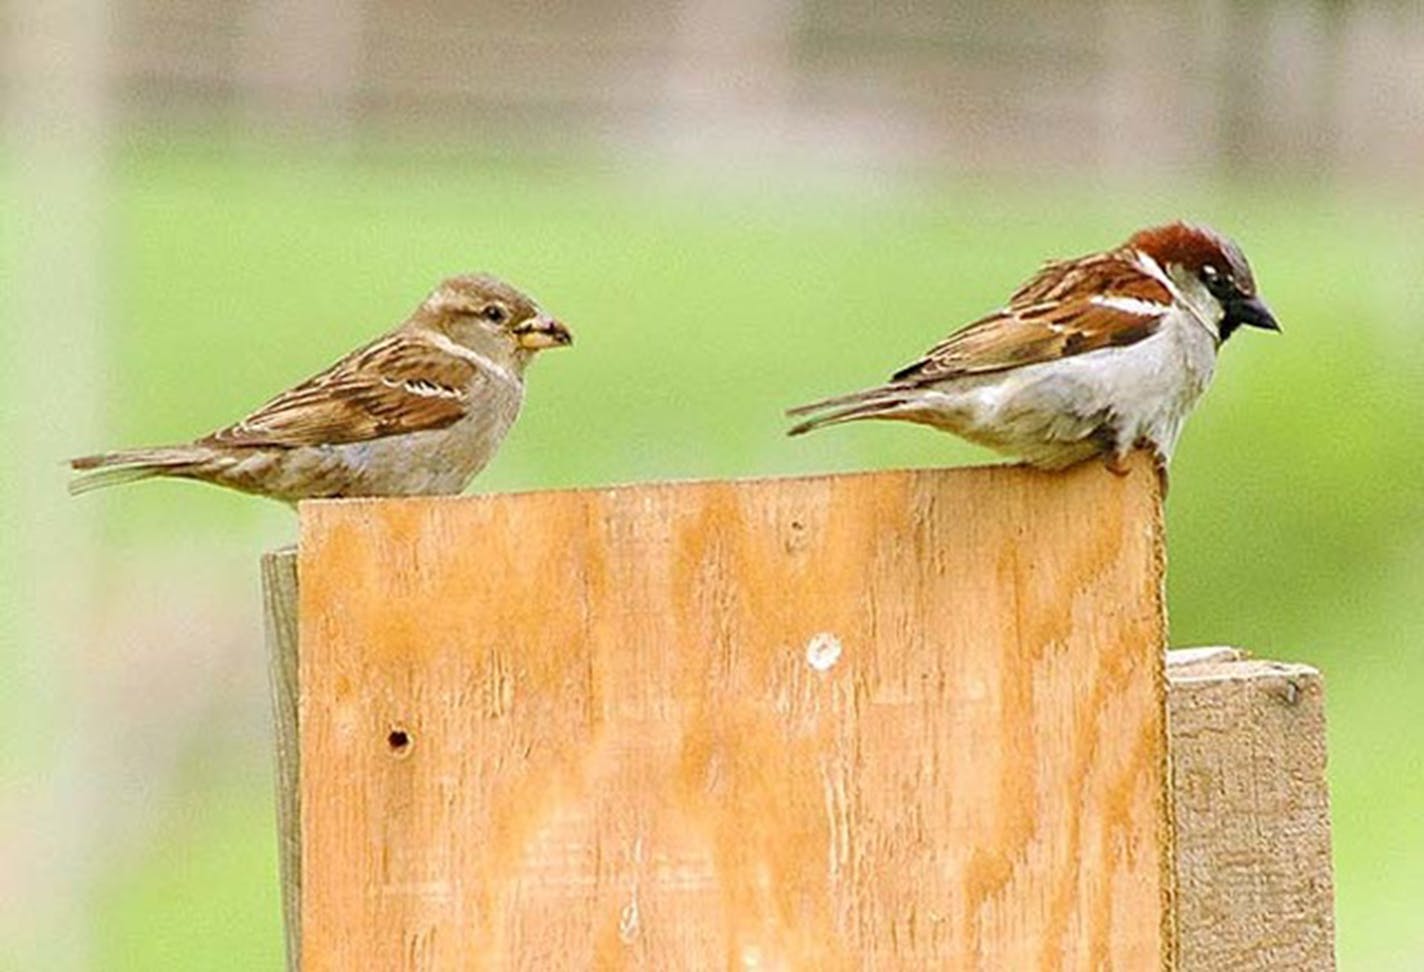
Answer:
(1093, 356)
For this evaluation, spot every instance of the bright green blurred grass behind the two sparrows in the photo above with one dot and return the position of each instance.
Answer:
(704, 307)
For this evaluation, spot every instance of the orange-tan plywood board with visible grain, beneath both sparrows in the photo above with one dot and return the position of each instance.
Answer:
(597, 729)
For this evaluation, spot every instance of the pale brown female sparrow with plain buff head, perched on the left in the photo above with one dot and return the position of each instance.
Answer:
(417, 412)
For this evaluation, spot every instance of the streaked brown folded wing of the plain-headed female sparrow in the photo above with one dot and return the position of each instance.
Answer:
(397, 385)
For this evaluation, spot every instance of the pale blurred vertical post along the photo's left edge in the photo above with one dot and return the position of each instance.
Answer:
(53, 388)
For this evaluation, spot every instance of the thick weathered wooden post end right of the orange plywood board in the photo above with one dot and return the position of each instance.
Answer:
(1255, 886)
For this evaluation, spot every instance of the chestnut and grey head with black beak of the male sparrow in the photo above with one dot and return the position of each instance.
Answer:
(1211, 273)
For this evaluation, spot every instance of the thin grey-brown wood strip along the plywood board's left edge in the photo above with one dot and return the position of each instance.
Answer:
(280, 597)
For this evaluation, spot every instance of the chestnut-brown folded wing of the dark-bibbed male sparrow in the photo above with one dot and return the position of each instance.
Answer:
(1069, 308)
